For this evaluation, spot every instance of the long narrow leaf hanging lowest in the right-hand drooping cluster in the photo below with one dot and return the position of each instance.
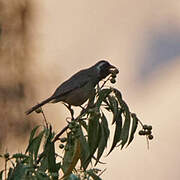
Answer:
(117, 133)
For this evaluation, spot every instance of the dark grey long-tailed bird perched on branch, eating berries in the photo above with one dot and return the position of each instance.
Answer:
(79, 87)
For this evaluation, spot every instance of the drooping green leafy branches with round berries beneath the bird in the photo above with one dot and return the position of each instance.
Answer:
(83, 144)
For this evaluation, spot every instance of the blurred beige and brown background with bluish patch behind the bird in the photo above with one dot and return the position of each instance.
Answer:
(44, 42)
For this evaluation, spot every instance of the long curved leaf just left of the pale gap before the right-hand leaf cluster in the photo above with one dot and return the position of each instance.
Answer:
(104, 129)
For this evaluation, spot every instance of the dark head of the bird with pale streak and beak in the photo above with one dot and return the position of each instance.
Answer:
(104, 68)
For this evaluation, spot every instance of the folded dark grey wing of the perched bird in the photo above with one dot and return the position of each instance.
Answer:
(78, 80)
